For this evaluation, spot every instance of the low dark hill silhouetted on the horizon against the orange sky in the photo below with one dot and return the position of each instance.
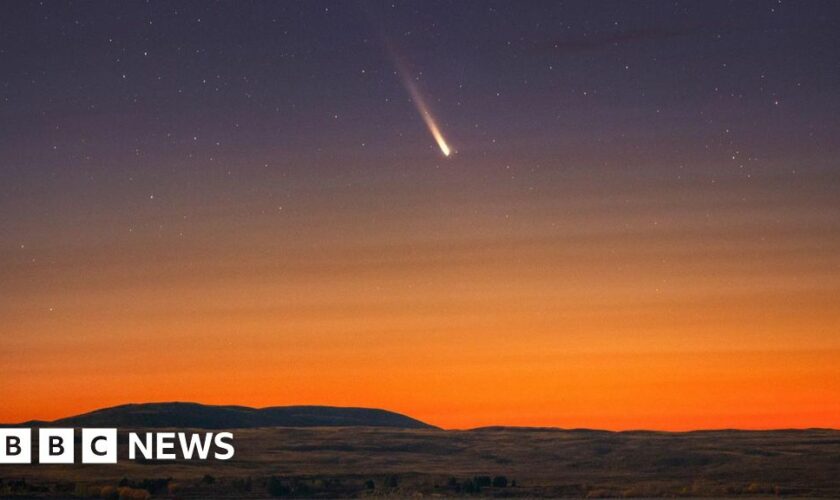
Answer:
(195, 415)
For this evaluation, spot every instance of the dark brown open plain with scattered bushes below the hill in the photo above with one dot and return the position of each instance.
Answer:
(335, 462)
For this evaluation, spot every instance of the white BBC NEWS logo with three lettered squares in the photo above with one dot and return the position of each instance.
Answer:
(100, 446)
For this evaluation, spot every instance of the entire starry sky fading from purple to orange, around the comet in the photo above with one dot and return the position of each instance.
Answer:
(238, 203)
